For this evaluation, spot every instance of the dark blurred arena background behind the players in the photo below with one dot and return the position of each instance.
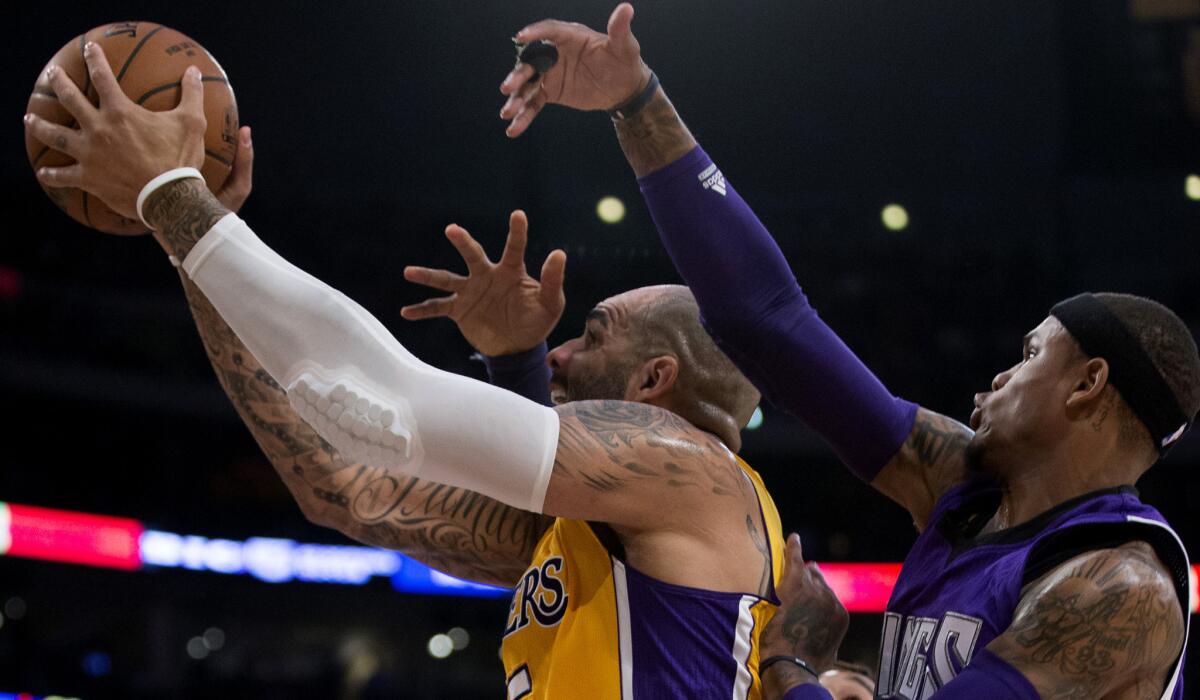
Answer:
(1039, 148)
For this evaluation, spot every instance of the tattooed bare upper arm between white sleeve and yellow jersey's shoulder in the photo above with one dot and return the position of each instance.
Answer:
(619, 463)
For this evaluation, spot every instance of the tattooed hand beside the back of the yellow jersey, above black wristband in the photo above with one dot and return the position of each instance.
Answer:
(811, 623)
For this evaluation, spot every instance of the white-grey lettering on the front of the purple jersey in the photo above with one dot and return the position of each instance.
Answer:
(927, 656)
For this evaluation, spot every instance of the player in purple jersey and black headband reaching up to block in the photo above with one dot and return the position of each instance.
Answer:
(1037, 571)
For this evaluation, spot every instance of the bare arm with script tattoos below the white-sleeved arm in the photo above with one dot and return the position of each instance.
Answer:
(457, 531)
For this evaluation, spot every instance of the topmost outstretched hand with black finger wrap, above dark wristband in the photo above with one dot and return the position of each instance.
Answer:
(595, 70)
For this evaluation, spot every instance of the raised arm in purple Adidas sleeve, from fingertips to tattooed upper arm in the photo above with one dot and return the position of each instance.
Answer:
(748, 295)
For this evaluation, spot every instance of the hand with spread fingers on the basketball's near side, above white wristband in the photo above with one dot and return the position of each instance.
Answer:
(119, 147)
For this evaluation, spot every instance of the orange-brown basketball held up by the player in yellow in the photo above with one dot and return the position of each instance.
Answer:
(149, 62)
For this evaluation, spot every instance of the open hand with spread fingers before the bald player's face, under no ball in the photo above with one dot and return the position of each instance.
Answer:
(500, 309)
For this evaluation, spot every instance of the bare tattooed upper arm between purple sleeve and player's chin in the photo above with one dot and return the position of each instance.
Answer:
(933, 459)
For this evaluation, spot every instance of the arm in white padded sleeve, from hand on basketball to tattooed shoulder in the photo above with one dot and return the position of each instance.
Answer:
(344, 373)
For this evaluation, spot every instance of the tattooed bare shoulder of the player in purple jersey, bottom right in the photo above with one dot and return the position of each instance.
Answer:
(1107, 623)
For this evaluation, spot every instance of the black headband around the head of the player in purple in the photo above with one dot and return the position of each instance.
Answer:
(1102, 334)
